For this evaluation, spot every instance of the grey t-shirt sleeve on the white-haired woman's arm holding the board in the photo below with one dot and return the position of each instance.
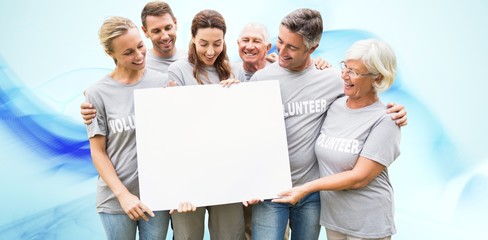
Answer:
(383, 142)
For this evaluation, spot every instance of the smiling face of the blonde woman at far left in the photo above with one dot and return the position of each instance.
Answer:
(129, 50)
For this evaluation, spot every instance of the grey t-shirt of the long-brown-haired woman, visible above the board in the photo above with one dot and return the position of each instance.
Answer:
(181, 72)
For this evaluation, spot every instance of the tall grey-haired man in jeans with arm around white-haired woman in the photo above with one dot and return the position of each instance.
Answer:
(306, 94)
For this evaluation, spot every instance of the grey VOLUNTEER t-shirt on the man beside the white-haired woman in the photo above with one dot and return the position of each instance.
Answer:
(306, 96)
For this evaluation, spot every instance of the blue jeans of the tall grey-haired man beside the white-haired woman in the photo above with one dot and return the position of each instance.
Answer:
(269, 219)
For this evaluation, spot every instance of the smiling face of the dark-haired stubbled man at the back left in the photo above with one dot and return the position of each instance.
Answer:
(162, 32)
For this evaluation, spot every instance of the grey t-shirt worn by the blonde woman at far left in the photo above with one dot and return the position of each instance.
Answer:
(115, 120)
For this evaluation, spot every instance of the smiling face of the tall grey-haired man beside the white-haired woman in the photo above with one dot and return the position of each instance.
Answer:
(293, 54)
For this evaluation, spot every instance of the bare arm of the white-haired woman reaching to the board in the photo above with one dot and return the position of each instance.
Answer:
(363, 172)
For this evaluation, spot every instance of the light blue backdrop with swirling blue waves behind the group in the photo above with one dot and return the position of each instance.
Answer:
(49, 53)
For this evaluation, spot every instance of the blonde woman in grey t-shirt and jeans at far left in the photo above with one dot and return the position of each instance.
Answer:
(112, 135)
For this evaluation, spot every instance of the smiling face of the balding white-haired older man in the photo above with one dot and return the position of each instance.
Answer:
(252, 46)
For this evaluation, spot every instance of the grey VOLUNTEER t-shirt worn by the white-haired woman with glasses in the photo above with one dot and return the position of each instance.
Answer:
(345, 135)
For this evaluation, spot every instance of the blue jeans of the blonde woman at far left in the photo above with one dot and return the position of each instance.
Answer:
(120, 227)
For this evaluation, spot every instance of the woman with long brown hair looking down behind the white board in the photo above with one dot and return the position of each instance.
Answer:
(207, 63)
